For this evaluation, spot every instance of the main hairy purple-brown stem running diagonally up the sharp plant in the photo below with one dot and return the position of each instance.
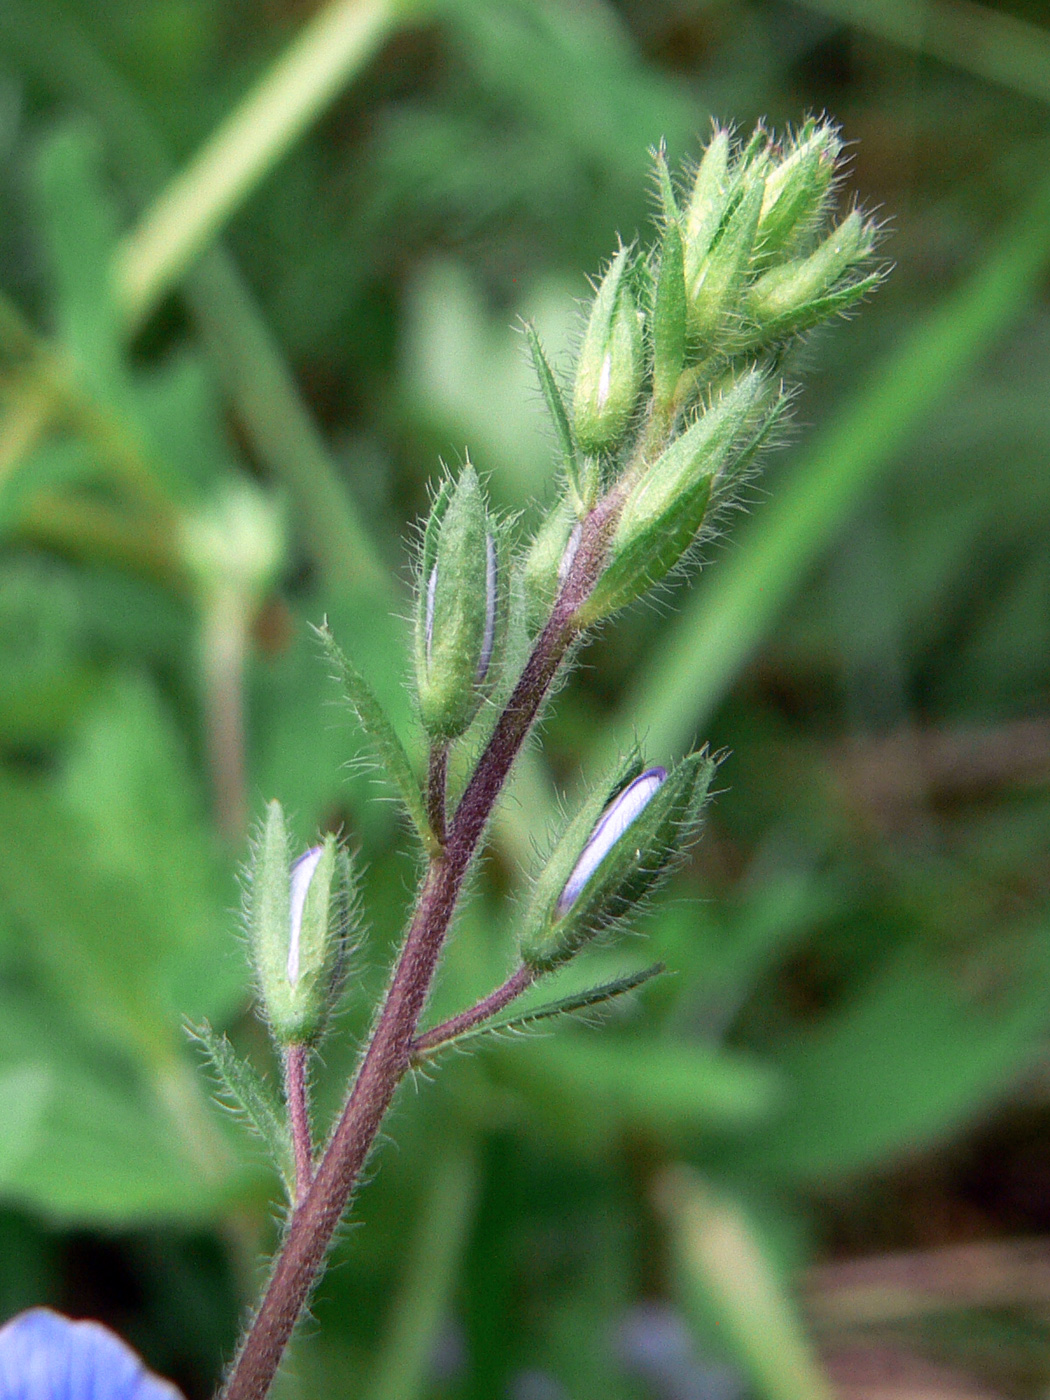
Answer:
(390, 1053)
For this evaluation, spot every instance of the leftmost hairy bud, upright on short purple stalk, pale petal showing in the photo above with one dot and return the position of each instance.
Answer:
(297, 922)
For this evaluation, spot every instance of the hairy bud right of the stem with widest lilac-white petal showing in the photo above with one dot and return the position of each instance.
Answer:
(621, 845)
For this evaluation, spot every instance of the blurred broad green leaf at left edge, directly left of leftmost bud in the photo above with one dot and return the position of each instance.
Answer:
(114, 876)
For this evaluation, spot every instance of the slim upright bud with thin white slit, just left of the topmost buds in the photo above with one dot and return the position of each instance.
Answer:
(608, 377)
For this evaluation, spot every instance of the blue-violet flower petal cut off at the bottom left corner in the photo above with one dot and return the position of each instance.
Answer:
(48, 1357)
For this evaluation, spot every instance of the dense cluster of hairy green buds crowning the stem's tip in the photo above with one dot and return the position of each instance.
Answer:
(673, 401)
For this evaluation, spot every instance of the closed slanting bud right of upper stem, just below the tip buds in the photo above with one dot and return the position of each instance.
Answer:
(666, 506)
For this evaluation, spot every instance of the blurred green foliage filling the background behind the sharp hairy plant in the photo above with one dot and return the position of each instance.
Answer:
(860, 955)
